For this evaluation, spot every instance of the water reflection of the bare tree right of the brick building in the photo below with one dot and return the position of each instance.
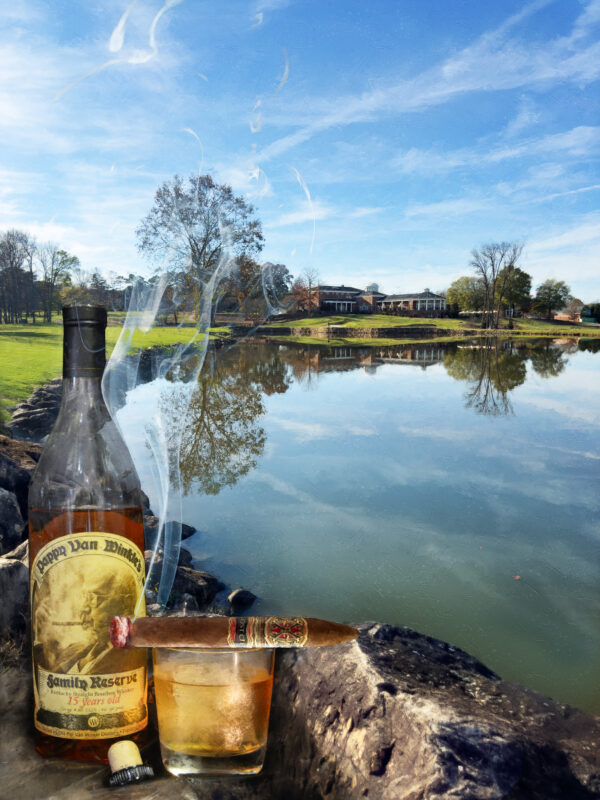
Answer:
(492, 369)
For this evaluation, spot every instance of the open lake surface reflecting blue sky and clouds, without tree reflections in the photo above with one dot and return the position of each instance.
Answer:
(380, 496)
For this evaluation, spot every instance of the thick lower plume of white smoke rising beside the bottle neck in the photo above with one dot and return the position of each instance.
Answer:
(148, 390)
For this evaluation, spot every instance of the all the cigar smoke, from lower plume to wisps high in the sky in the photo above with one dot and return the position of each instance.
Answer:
(148, 391)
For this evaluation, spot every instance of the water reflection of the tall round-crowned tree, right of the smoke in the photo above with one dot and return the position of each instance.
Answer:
(223, 438)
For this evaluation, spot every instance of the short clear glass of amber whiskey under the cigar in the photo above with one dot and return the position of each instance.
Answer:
(213, 709)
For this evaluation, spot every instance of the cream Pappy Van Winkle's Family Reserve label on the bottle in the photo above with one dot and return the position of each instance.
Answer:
(83, 687)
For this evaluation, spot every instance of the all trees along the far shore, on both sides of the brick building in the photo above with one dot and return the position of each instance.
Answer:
(206, 241)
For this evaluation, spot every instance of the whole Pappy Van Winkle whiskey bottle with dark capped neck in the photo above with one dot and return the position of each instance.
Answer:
(86, 543)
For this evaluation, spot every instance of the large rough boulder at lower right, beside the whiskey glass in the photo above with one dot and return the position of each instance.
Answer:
(401, 716)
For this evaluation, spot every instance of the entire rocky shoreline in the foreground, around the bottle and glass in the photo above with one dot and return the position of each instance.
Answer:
(396, 715)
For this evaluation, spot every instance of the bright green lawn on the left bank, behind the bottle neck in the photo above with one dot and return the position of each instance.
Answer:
(31, 355)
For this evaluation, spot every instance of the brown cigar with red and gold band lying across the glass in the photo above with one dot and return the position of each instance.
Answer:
(197, 632)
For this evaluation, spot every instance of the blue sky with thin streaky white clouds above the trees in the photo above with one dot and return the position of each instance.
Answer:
(378, 141)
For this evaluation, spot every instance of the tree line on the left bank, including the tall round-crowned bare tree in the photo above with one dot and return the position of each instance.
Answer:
(198, 235)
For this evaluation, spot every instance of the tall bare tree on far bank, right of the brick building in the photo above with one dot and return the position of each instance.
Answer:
(494, 264)
